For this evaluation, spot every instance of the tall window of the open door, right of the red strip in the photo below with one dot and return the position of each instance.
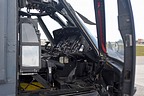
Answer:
(115, 46)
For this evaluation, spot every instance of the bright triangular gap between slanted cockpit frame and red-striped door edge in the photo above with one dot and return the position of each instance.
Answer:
(87, 10)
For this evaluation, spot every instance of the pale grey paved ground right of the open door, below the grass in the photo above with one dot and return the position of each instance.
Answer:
(139, 79)
